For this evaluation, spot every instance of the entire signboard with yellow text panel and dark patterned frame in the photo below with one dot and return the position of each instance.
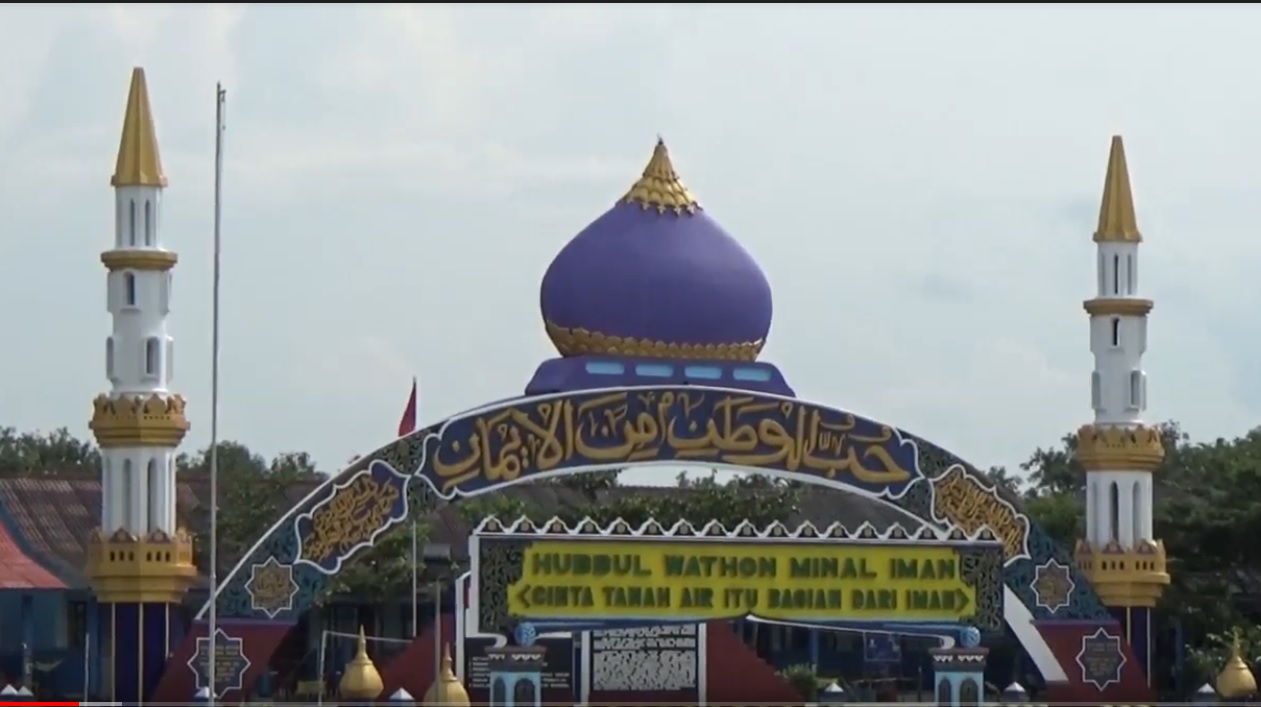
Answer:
(553, 579)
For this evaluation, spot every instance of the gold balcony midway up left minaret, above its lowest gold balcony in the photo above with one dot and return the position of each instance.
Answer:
(139, 422)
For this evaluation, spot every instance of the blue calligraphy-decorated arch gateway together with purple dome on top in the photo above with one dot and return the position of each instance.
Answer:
(665, 382)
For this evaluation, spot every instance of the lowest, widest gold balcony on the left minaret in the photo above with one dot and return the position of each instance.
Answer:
(124, 569)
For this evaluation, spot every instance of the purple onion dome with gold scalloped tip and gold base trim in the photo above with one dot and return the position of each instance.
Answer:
(656, 277)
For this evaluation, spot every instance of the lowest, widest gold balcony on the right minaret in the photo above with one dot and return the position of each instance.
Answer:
(1125, 578)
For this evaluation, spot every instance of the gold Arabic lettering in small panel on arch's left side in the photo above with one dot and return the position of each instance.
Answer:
(350, 519)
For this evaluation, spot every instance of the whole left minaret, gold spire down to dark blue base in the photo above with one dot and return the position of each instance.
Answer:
(139, 561)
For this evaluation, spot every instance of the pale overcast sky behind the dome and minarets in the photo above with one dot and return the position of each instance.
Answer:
(920, 185)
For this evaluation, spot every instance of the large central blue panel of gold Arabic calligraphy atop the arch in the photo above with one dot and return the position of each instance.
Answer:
(524, 438)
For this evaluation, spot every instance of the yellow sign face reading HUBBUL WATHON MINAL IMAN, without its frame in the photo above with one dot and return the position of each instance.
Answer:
(671, 580)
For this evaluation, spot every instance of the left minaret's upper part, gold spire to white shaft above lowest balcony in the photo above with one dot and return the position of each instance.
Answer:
(139, 453)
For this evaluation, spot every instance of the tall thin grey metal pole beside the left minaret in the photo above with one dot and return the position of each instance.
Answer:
(220, 104)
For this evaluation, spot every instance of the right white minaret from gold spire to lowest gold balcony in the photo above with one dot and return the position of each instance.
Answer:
(1119, 453)
